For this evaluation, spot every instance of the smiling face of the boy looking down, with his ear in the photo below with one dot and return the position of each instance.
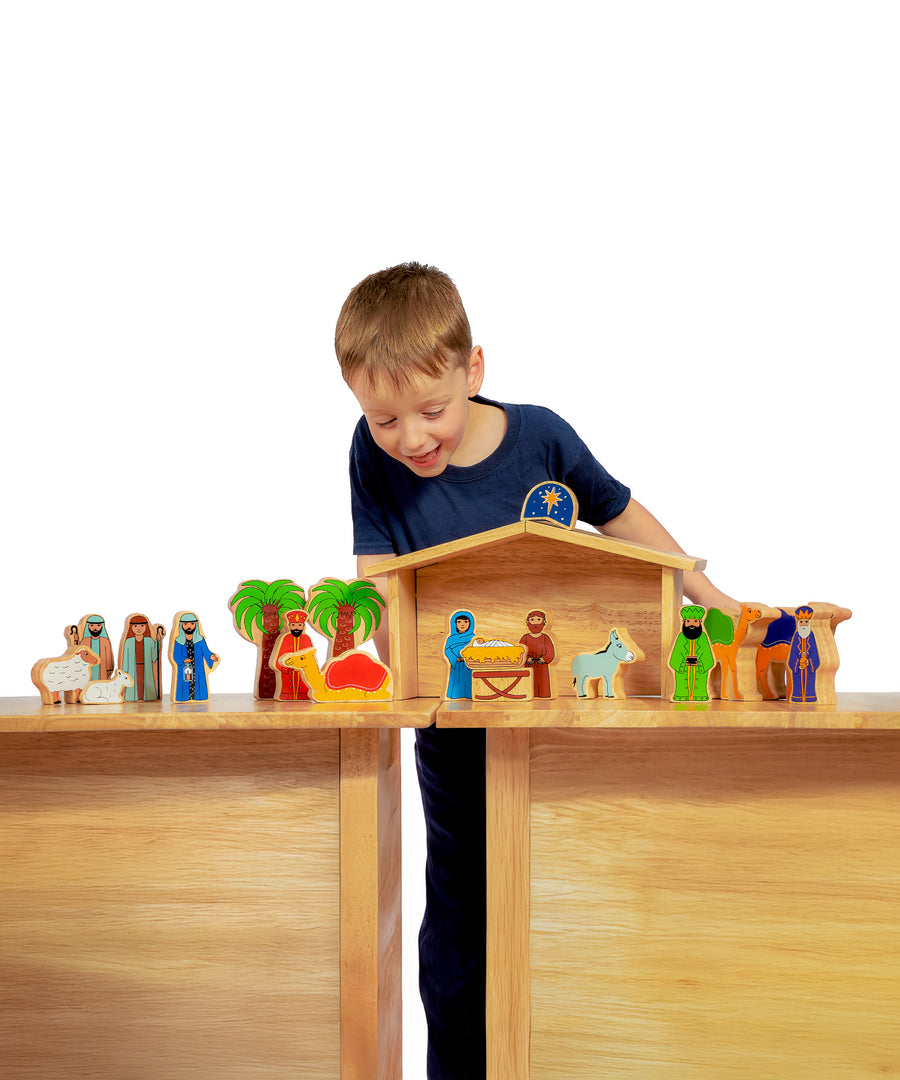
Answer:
(424, 426)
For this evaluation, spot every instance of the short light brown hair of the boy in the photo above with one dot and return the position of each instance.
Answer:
(401, 325)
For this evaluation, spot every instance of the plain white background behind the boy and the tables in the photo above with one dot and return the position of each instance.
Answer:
(677, 224)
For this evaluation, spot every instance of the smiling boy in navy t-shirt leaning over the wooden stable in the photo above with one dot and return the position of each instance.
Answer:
(433, 462)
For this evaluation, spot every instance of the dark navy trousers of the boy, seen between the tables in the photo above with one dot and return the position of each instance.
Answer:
(452, 951)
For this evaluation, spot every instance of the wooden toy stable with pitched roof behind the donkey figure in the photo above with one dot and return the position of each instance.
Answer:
(586, 583)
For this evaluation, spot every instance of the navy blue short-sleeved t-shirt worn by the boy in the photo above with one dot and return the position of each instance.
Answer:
(396, 511)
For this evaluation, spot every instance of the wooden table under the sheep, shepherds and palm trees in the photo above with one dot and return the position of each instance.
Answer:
(204, 890)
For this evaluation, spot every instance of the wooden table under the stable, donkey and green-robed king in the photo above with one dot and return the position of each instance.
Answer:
(693, 892)
